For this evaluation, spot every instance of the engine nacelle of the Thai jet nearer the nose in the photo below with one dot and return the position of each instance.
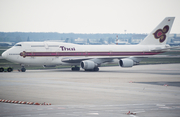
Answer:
(87, 64)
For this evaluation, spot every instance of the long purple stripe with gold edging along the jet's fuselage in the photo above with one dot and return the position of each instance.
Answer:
(50, 54)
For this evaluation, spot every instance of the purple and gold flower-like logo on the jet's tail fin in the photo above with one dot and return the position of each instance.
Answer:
(161, 34)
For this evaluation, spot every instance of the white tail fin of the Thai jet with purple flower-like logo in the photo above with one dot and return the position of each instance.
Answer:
(160, 34)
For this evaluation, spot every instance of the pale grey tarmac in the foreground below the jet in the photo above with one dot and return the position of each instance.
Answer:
(144, 90)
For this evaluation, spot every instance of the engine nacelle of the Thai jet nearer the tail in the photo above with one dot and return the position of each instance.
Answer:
(126, 63)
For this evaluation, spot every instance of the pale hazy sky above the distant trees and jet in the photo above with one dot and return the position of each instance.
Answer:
(87, 16)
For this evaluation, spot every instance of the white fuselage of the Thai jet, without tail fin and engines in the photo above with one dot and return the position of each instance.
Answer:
(52, 53)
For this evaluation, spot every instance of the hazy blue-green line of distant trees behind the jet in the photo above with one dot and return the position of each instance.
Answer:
(43, 36)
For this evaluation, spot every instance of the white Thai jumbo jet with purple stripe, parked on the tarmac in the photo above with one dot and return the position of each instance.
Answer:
(89, 57)
